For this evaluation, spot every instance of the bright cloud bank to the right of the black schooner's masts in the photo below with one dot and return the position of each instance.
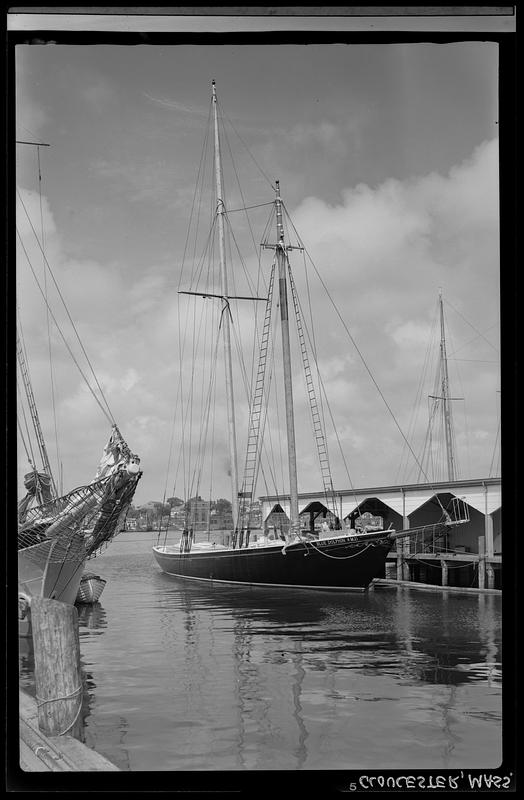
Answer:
(385, 251)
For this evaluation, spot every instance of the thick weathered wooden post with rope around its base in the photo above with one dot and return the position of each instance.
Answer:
(58, 676)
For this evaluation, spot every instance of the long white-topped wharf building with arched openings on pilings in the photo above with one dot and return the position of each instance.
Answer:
(467, 555)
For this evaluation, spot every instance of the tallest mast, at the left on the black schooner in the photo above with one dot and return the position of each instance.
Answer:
(225, 320)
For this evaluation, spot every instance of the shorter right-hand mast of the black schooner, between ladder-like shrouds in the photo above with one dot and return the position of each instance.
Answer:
(288, 379)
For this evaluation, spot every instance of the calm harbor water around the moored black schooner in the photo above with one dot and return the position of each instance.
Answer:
(182, 675)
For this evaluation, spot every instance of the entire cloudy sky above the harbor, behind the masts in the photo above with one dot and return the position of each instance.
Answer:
(387, 157)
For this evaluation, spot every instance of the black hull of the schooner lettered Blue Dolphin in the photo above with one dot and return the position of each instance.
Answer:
(343, 563)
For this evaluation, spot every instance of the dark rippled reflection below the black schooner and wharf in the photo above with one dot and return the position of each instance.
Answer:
(410, 635)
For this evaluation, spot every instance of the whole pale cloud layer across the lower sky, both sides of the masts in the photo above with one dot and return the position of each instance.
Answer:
(383, 252)
